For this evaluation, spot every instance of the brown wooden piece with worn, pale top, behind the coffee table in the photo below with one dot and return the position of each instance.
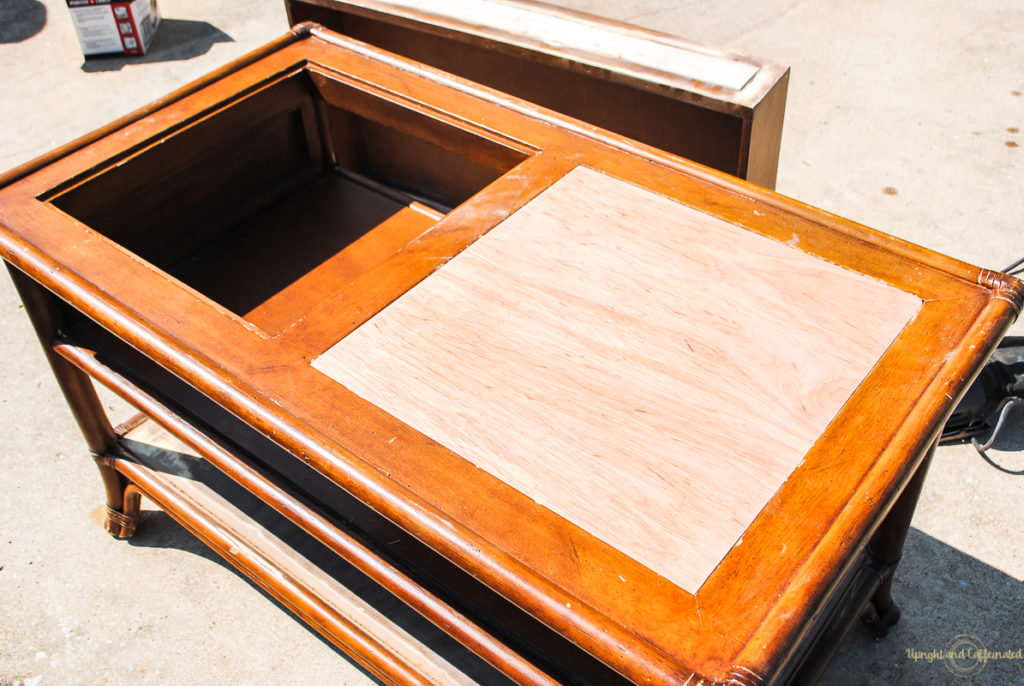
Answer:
(720, 109)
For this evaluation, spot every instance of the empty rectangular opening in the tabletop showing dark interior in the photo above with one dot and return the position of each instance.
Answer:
(274, 202)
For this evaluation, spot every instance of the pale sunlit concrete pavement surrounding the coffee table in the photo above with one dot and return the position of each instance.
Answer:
(923, 99)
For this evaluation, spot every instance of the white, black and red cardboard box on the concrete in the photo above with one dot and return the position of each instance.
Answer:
(108, 27)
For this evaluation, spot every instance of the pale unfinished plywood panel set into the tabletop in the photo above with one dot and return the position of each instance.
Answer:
(644, 370)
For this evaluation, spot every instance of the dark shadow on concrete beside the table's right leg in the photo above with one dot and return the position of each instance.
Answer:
(945, 594)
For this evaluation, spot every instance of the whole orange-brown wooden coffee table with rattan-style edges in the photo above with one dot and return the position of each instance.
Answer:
(596, 412)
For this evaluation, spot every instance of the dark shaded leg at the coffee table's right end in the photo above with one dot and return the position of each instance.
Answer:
(886, 548)
